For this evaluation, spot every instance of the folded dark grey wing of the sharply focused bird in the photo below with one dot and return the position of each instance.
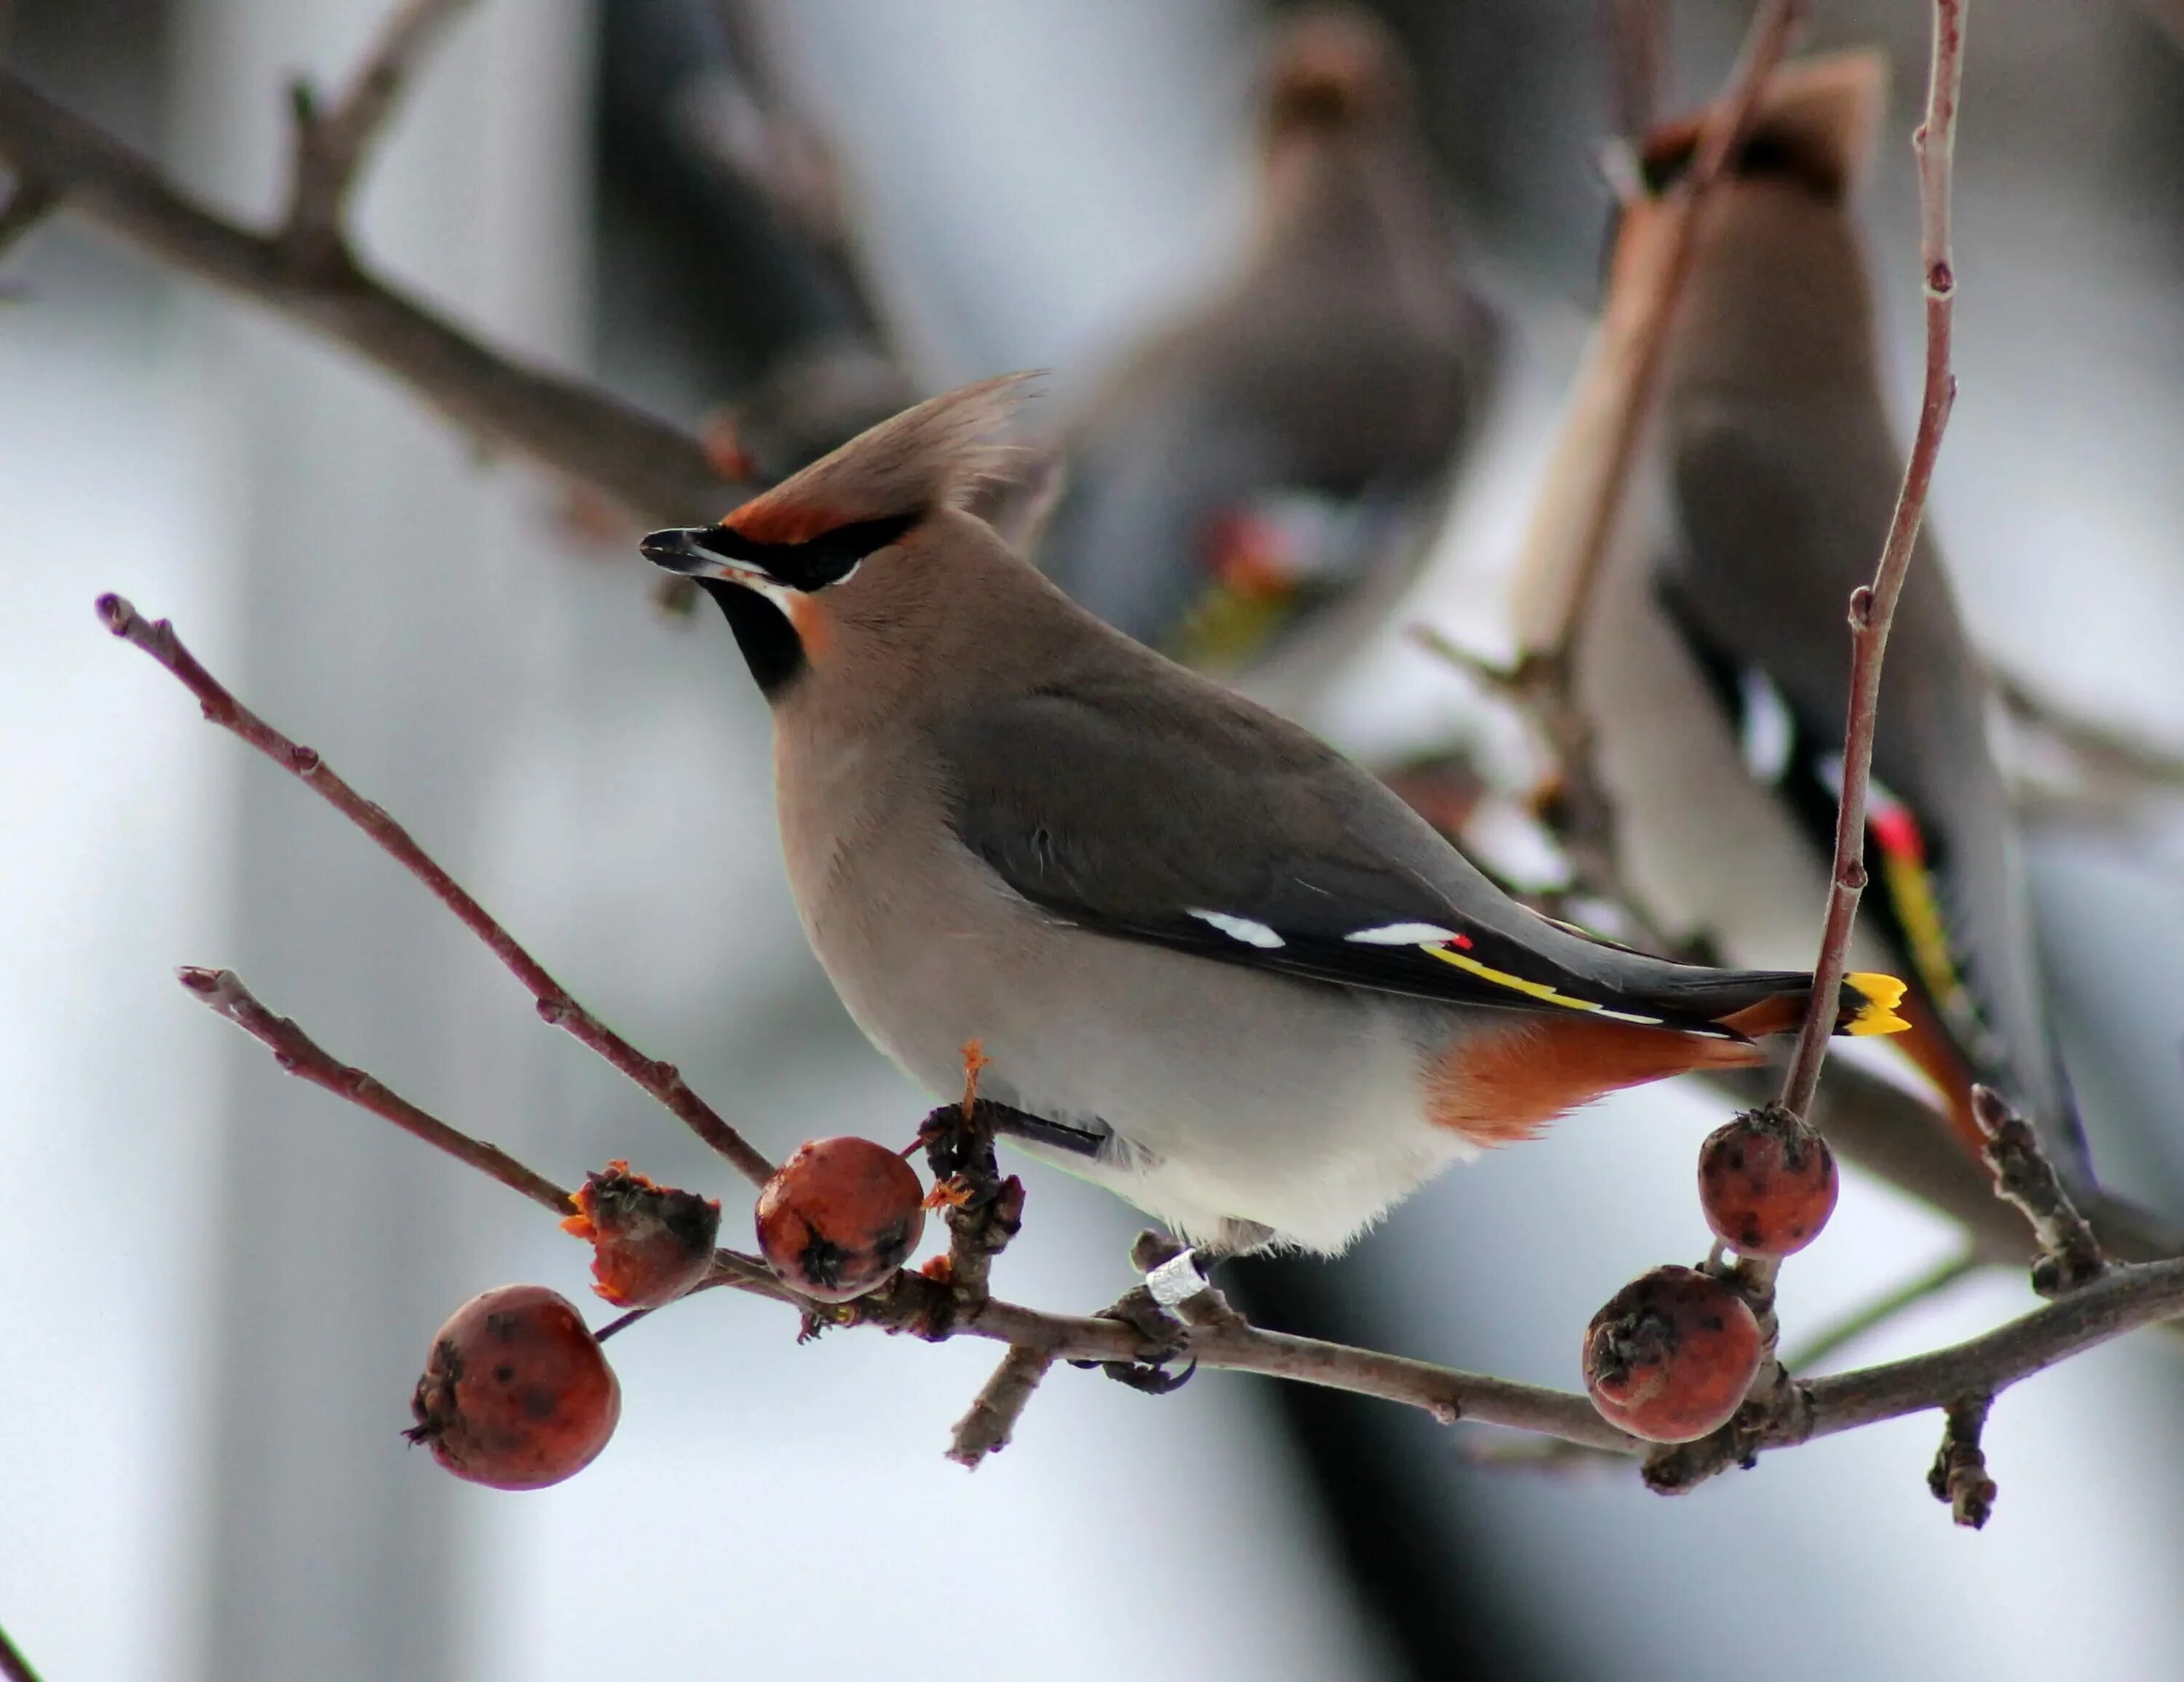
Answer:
(1226, 833)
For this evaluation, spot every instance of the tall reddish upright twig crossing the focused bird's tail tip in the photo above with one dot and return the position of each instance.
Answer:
(1873, 608)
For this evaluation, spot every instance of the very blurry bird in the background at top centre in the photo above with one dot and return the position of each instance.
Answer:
(1263, 458)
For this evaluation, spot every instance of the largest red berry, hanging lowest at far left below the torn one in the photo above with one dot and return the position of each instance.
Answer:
(517, 1393)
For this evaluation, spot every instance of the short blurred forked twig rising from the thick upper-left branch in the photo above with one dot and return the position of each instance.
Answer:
(331, 145)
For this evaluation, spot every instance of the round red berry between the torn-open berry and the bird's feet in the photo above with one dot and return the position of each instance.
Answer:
(840, 1218)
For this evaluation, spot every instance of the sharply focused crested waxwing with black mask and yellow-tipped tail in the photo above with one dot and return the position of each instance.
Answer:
(1228, 973)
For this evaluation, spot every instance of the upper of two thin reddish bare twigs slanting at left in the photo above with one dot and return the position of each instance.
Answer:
(556, 1004)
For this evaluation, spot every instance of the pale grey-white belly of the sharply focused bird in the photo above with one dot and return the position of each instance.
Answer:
(1233, 1100)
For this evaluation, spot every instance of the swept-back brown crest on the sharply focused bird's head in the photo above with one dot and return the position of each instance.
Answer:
(927, 458)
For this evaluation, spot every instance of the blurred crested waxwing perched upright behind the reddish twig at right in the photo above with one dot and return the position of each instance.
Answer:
(1711, 654)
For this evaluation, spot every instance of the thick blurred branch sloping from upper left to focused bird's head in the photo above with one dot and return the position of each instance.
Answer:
(571, 427)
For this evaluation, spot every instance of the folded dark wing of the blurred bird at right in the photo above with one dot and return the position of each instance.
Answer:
(1774, 543)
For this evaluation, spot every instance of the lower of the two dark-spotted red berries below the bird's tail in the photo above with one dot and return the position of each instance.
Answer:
(1672, 1355)
